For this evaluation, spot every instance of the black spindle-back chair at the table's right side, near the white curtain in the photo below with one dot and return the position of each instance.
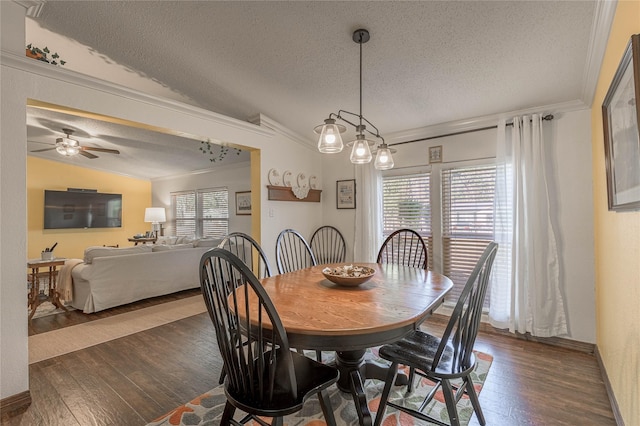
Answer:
(448, 357)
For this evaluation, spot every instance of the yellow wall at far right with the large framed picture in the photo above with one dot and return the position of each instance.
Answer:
(617, 243)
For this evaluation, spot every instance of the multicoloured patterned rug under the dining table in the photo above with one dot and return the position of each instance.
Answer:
(207, 408)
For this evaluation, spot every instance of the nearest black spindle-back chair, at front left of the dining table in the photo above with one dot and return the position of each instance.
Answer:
(264, 378)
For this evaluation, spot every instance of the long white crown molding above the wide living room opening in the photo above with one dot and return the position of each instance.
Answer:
(61, 74)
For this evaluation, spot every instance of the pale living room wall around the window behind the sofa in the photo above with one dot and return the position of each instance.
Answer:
(234, 177)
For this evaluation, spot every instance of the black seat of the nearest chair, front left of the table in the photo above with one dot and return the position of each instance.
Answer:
(311, 377)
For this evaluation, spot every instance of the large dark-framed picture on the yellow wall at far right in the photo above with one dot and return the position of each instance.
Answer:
(620, 118)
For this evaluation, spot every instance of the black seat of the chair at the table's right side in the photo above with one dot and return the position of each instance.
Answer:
(418, 350)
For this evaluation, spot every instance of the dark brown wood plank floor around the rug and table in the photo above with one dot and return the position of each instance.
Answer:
(135, 379)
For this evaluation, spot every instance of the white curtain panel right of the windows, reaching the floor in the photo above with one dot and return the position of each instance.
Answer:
(525, 293)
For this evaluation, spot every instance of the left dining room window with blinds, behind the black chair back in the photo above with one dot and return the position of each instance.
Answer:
(406, 204)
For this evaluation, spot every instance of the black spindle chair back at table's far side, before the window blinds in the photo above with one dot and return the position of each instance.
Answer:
(404, 247)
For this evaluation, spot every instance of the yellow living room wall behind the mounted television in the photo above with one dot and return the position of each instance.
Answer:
(45, 174)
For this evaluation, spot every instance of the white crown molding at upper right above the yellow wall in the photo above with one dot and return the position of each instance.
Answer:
(600, 29)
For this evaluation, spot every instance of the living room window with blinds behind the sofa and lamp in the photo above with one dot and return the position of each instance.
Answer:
(201, 213)
